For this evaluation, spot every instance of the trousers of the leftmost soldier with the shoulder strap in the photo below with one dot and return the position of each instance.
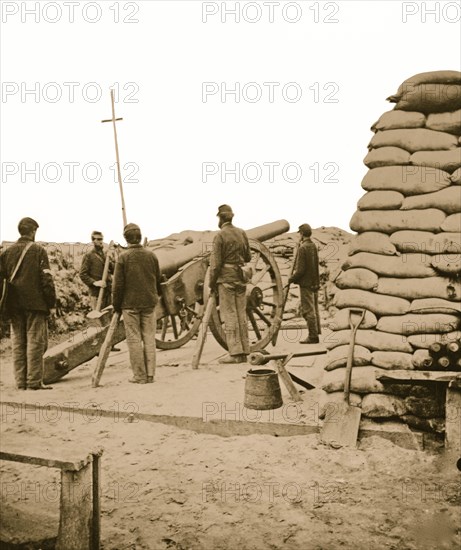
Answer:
(29, 335)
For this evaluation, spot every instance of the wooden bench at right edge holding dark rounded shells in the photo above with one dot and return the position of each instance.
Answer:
(452, 400)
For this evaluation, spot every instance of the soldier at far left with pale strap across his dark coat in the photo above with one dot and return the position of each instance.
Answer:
(31, 296)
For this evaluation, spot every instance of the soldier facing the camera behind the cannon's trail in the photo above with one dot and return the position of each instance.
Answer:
(92, 269)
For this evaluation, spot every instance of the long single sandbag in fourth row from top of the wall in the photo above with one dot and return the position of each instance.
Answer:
(416, 139)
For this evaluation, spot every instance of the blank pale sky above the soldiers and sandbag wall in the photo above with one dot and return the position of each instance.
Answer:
(266, 106)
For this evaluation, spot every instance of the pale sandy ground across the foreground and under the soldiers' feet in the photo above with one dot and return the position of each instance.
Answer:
(168, 488)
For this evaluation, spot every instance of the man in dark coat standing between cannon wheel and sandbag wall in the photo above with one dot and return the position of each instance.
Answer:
(306, 275)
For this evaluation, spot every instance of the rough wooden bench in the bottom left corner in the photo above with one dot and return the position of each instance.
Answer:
(79, 518)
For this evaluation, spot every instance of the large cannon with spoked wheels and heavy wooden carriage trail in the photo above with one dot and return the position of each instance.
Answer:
(181, 306)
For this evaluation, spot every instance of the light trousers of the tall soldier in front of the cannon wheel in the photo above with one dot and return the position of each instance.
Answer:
(232, 306)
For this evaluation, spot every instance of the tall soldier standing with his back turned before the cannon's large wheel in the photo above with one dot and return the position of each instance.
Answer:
(230, 252)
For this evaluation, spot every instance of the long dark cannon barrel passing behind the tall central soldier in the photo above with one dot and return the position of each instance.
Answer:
(171, 260)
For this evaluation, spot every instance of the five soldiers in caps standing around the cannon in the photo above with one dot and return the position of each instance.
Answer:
(134, 289)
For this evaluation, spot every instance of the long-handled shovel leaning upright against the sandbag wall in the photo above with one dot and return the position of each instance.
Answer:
(341, 426)
